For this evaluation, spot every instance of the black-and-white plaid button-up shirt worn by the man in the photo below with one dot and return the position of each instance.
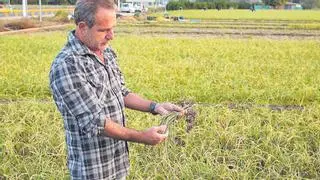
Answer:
(87, 92)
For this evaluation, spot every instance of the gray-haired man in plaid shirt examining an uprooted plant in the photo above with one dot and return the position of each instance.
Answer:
(89, 91)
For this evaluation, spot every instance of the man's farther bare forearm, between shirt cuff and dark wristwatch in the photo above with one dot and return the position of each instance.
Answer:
(134, 101)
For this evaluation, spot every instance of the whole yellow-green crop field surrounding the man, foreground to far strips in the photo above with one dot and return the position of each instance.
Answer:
(256, 98)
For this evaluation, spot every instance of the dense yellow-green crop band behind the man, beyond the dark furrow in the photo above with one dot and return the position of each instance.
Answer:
(247, 70)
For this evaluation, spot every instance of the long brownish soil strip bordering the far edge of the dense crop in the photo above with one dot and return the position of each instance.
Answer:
(218, 32)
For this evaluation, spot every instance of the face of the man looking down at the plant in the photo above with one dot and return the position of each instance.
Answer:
(97, 37)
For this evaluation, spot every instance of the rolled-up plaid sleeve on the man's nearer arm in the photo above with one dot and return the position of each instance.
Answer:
(70, 86)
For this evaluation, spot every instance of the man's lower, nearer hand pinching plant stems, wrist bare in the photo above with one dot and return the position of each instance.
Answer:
(154, 135)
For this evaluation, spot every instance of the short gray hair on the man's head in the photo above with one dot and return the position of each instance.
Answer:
(85, 10)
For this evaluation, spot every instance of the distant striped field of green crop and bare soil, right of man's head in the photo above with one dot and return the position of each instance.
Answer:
(273, 24)
